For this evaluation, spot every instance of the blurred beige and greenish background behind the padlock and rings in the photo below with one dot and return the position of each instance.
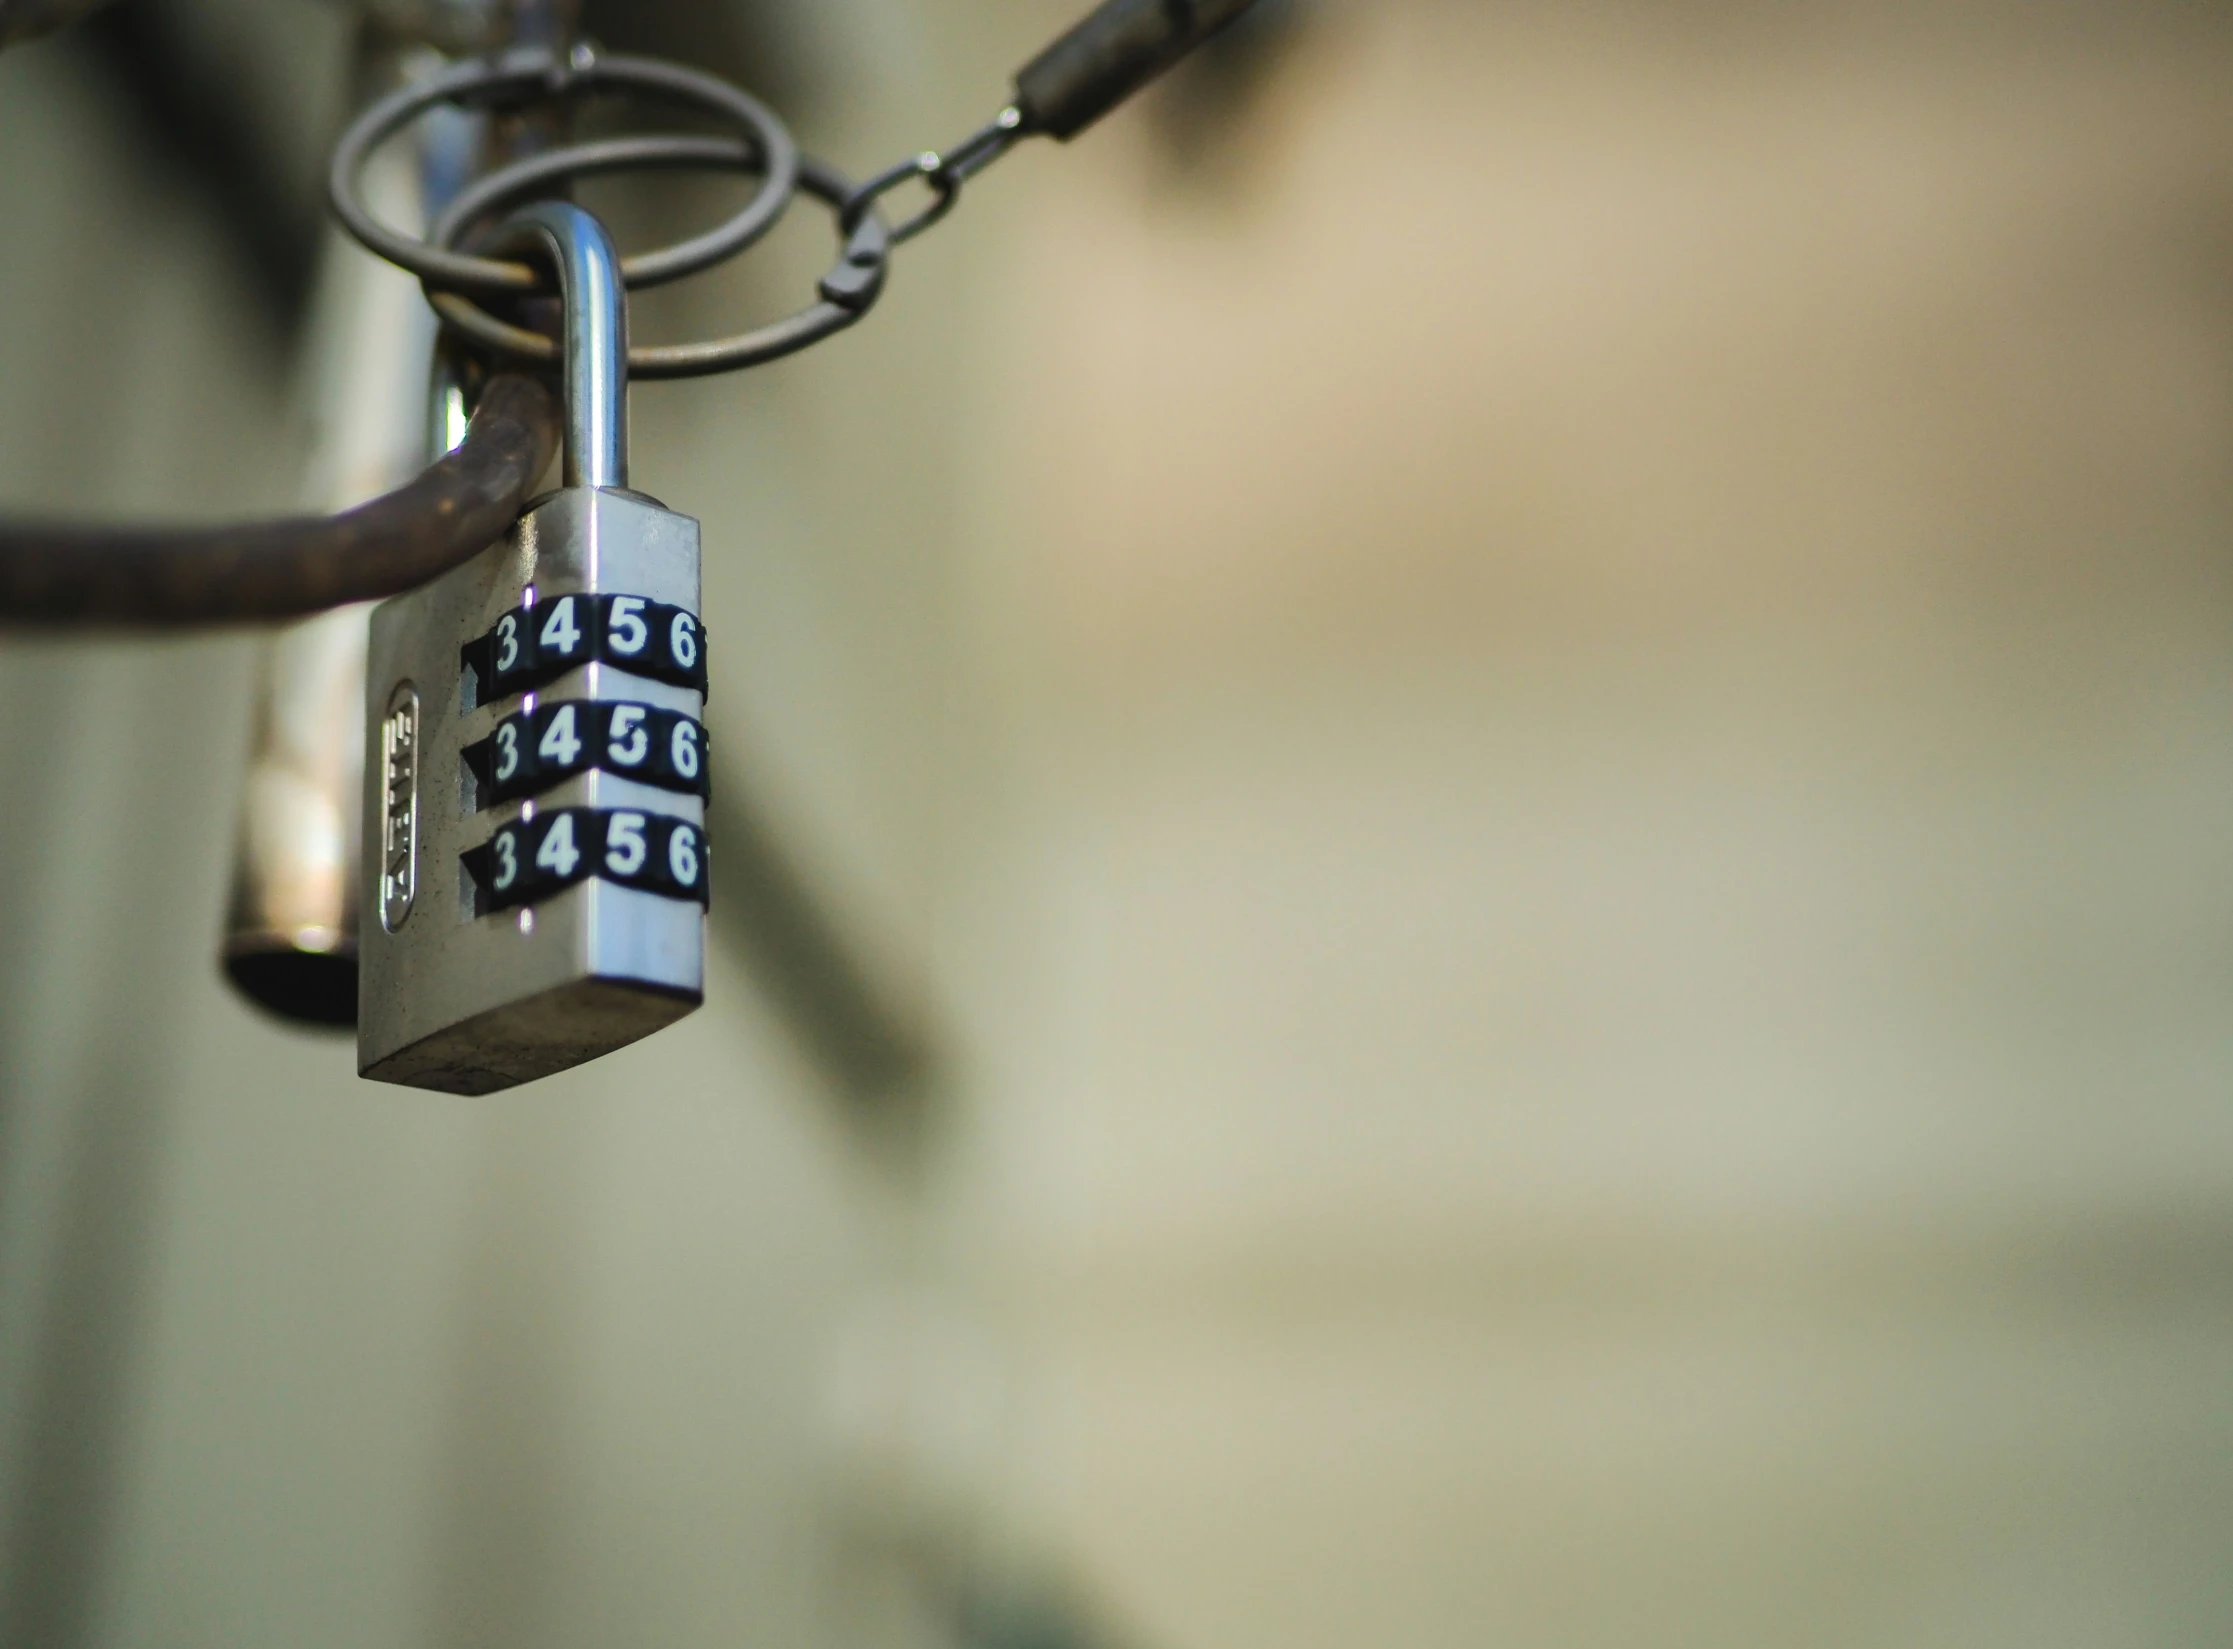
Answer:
(1537, 703)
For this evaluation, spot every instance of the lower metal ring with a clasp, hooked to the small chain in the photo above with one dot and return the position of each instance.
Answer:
(847, 292)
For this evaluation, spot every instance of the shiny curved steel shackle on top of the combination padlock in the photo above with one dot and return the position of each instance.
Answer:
(595, 350)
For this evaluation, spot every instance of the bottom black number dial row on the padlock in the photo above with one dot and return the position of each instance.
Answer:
(537, 859)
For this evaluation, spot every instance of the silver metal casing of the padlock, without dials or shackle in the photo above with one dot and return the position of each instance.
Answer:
(477, 1004)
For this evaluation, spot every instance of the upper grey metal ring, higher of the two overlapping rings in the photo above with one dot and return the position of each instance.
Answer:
(544, 73)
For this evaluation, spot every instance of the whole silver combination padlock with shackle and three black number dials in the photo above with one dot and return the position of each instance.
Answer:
(537, 761)
